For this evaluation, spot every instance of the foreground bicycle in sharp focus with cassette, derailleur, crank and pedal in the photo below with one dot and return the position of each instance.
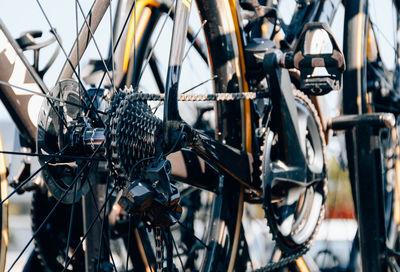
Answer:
(71, 133)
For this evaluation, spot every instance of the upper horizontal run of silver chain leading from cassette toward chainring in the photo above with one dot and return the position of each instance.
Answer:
(199, 97)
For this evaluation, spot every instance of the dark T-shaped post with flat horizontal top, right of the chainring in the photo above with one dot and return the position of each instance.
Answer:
(368, 183)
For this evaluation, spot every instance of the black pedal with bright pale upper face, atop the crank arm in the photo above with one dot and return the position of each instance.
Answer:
(318, 58)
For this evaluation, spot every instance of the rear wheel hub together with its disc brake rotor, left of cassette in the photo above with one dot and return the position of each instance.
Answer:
(65, 132)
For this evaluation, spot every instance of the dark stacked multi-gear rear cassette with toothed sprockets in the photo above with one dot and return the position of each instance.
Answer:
(131, 135)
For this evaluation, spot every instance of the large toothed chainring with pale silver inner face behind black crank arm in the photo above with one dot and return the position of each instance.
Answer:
(294, 213)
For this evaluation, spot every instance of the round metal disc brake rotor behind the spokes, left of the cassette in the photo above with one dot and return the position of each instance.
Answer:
(53, 136)
